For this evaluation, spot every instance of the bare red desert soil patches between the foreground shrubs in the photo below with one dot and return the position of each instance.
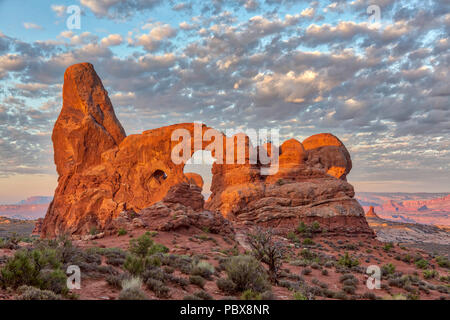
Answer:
(184, 242)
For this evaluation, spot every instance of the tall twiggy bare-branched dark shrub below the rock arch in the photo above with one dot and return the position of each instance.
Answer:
(267, 250)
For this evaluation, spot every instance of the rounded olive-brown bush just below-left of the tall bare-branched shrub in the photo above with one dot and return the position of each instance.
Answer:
(246, 273)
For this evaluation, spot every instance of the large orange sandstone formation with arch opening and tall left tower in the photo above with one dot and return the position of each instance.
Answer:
(106, 179)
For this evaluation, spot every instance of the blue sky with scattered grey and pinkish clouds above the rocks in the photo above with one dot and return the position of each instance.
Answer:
(305, 67)
